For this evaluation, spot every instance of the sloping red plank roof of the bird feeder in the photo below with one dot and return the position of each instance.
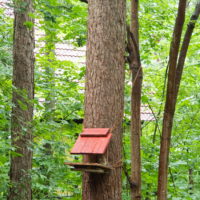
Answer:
(92, 141)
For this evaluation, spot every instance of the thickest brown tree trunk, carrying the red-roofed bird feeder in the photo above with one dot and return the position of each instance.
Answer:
(104, 92)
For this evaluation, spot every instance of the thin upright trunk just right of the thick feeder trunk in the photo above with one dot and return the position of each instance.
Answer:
(136, 68)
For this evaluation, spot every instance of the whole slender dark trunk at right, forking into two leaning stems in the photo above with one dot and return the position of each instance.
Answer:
(174, 78)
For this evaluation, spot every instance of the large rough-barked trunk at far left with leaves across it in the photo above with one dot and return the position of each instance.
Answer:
(23, 94)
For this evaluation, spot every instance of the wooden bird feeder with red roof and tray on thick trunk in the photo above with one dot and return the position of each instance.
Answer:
(92, 141)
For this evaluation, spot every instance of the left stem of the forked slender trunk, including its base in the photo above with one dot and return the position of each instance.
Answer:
(169, 109)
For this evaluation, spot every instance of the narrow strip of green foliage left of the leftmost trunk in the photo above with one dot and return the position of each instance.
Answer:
(5, 98)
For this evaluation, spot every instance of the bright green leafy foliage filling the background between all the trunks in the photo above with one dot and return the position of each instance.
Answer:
(55, 128)
